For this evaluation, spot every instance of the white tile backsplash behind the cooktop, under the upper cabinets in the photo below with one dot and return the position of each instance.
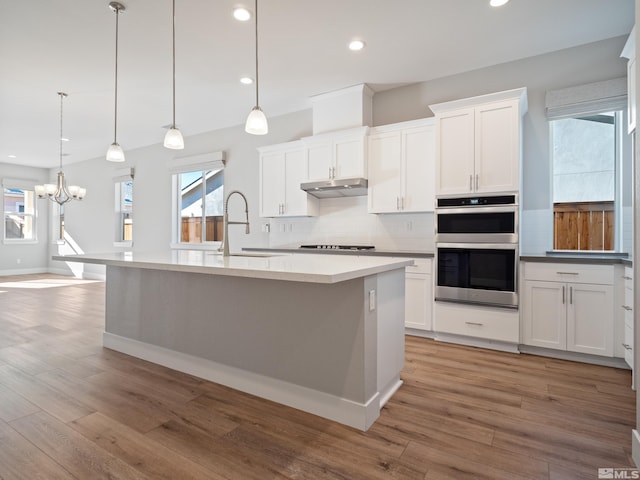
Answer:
(346, 221)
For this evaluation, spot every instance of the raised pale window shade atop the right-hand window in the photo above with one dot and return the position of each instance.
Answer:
(589, 99)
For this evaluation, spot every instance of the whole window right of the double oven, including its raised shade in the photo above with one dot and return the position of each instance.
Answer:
(589, 152)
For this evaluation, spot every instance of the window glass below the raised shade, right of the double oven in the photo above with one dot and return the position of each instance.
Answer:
(585, 152)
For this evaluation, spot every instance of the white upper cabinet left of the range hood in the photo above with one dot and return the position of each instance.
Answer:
(282, 168)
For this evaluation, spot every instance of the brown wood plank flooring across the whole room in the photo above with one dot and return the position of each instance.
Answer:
(71, 409)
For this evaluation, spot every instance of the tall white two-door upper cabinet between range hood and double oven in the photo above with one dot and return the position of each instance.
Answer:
(401, 167)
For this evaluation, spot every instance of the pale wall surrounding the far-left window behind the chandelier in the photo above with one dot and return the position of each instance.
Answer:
(32, 258)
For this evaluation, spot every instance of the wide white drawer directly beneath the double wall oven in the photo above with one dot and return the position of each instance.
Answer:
(473, 321)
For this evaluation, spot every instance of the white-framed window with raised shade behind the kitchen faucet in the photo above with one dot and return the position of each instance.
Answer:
(198, 191)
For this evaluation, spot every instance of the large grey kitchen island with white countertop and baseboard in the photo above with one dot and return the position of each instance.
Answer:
(321, 334)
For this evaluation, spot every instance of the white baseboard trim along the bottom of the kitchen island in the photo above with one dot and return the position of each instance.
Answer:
(357, 415)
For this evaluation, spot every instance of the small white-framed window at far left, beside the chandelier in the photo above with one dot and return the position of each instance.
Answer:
(19, 206)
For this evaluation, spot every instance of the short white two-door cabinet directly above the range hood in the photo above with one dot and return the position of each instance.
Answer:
(341, 154)
